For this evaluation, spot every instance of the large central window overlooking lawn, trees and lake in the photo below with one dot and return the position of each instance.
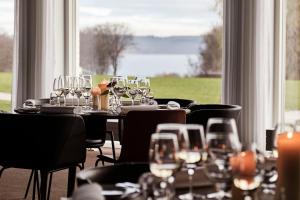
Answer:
(176, 43)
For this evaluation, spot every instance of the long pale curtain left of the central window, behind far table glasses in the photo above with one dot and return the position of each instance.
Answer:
(40, 47)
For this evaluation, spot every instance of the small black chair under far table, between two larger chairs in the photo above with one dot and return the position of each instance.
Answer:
(96, 133)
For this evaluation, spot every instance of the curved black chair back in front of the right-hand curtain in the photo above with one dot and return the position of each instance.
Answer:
(200, 113)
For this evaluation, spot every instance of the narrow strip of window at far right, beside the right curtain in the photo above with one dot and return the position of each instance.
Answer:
(292, 98)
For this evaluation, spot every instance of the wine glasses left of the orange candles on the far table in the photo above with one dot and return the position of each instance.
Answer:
(74, 86)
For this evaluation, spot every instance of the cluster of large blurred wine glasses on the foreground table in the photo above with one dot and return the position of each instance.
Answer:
(219, 152)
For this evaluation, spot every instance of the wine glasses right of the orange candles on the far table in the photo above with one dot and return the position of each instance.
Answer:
(131, 87)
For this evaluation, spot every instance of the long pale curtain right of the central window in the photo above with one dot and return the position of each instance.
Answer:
(248, 65)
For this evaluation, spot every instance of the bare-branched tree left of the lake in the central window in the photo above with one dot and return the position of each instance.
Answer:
(103, 45)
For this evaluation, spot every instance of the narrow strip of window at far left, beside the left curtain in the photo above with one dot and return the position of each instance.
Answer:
(6, 52)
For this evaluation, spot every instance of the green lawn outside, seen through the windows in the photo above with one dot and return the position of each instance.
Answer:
(203, 90)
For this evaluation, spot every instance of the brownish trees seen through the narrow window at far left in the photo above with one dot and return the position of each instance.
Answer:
(6, 52)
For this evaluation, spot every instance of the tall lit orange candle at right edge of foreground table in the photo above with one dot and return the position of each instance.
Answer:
(288, 166)
